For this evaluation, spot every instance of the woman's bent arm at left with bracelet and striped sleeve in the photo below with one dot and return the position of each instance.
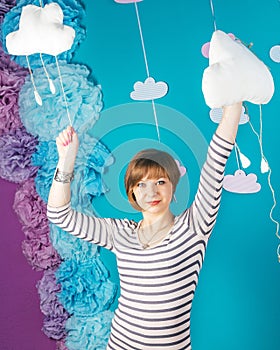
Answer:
(89, 228)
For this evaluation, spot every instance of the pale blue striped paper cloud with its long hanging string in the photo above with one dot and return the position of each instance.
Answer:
(149, 90)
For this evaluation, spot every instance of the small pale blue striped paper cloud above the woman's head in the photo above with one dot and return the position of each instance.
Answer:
(149, 90)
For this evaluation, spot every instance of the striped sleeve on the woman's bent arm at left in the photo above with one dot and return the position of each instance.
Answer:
(95, 230)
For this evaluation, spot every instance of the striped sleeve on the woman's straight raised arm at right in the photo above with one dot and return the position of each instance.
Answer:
(203, 211)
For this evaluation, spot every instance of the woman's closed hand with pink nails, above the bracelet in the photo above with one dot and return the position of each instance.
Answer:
(67, 144)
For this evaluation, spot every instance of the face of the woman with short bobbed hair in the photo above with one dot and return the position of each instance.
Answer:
(153, 195)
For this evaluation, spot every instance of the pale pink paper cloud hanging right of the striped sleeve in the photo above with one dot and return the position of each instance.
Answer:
(241, 183)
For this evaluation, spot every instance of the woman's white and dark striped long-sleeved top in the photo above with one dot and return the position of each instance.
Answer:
(157, 284)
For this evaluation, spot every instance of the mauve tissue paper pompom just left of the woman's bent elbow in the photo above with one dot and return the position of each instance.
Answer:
(29, 207)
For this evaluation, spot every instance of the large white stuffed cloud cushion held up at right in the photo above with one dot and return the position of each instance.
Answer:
(234, 74)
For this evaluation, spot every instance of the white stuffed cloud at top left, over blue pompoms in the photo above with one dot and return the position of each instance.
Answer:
(41, 30)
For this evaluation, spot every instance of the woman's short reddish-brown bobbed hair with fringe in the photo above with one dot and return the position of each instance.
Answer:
(151, 163)
